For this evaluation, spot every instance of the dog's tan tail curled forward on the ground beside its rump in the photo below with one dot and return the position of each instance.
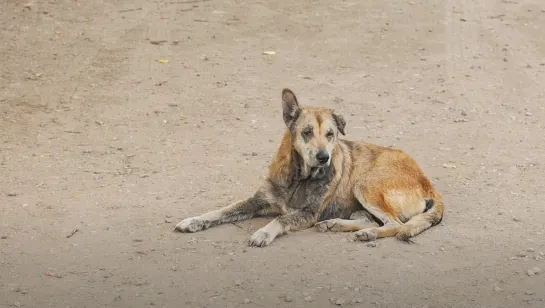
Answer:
(432, 215)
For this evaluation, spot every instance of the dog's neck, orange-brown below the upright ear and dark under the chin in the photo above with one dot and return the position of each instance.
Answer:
(288, 166)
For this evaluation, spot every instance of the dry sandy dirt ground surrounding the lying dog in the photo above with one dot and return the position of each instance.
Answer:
(99, 138)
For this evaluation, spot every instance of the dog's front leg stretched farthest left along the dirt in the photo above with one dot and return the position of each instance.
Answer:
(241, 210)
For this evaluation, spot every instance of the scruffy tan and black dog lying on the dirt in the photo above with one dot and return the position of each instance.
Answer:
(317, 179)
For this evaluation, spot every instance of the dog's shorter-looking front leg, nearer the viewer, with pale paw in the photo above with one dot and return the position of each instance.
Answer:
(297, 220)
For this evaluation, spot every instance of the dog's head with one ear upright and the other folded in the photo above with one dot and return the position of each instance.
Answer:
(314, 130)
